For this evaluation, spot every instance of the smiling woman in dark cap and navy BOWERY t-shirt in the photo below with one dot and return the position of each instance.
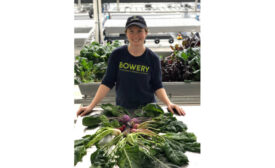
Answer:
(135, 71)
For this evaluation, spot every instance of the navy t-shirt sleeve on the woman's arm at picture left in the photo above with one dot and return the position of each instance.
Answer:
(109, 78)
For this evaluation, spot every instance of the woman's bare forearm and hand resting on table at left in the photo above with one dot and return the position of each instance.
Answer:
(100, 94)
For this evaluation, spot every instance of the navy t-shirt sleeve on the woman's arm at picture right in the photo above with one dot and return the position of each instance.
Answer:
(156, 75)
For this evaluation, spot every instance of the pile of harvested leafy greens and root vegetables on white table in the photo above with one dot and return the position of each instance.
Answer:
(148, 138)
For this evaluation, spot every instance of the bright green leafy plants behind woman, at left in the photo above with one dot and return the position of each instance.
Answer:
(91, 64)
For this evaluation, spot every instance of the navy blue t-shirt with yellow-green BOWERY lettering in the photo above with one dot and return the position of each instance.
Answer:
(136, 78)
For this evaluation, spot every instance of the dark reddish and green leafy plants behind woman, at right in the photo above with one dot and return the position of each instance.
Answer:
(184, 62)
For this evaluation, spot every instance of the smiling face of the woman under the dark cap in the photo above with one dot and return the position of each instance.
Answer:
(136, 35)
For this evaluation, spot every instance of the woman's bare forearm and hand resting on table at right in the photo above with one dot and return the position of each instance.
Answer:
(161, 94)
